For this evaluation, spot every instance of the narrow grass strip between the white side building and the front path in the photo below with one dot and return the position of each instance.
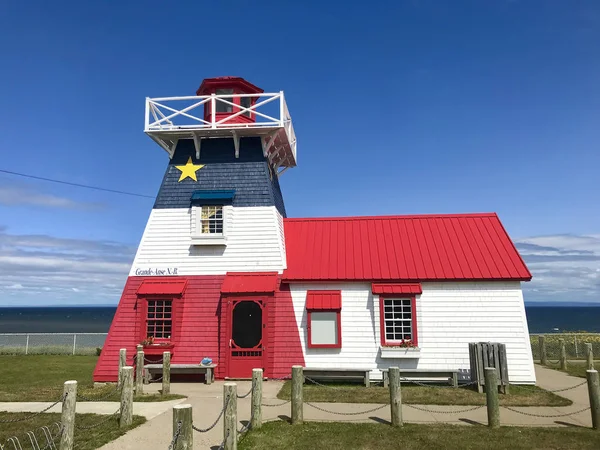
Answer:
(354, 393)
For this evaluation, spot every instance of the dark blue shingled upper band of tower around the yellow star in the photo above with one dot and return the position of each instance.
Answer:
(249, 175)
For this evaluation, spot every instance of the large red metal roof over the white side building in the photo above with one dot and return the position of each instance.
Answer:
(402, 248)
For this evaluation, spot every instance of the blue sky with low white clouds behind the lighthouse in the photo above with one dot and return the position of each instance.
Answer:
(400, 107)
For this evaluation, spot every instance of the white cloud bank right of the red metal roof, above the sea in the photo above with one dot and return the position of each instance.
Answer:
(565, 267)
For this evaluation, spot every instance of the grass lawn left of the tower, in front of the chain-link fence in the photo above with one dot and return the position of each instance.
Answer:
(41, 378)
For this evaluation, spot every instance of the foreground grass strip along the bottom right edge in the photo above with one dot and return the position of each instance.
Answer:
(342, 436)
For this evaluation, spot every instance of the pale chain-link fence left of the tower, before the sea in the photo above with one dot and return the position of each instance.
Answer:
(51, 343)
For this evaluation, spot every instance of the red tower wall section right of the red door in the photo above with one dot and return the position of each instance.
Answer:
(285, 349)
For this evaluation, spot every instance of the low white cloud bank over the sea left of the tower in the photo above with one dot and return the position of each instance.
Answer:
(40, 269)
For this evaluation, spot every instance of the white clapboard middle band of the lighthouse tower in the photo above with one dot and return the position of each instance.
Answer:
(254, 242)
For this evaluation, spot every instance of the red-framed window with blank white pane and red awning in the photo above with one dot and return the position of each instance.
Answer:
(324, 319)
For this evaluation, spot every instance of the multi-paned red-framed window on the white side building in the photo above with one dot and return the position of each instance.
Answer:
(398, 322)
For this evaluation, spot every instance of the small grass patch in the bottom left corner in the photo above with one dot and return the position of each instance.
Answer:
(83, 439)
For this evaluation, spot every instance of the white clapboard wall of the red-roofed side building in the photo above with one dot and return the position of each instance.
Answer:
(449, 316)
